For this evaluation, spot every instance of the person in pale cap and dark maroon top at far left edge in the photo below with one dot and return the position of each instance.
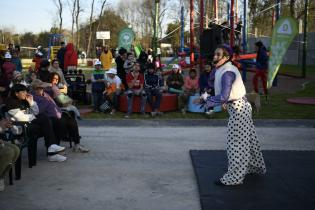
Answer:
(6, 77)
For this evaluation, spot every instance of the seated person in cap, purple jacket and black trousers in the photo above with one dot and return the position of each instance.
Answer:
(62, 122)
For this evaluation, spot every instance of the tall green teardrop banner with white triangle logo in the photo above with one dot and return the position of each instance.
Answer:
(282, 35)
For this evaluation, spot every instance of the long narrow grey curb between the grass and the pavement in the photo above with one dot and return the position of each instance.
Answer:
(192, 122)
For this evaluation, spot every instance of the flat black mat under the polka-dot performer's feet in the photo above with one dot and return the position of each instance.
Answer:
(288, 185)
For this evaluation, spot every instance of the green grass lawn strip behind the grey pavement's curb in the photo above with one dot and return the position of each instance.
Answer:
(275, 108)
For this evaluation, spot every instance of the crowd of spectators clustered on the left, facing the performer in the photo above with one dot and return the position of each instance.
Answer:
(40, 98)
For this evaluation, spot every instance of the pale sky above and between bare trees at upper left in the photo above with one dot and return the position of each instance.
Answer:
(38, 15)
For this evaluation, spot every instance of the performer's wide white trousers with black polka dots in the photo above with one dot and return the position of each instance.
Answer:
(243, 149)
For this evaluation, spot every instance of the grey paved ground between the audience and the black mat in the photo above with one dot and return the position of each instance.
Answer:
(135, 167)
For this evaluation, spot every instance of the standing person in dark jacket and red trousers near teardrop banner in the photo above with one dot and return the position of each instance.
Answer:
(261, 67)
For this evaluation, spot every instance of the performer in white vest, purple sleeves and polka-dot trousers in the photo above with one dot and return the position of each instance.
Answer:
(243, 148)
